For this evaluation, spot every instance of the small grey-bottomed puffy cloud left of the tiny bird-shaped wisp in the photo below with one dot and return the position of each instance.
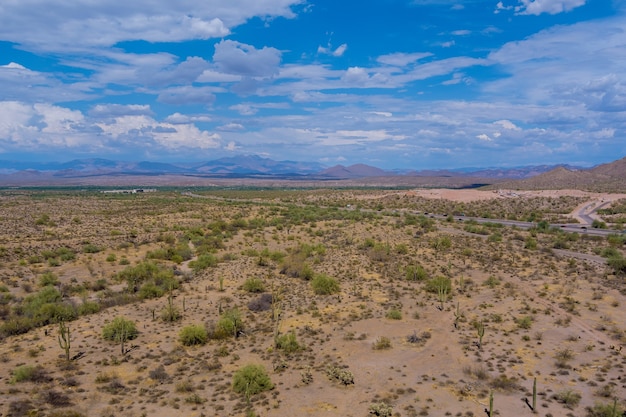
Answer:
(232, 57)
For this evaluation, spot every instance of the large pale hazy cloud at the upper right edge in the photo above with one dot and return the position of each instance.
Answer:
(579, 64)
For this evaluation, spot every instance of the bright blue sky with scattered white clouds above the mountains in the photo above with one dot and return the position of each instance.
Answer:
(407, 84)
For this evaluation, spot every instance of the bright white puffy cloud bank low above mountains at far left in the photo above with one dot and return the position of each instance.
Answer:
(48, 128)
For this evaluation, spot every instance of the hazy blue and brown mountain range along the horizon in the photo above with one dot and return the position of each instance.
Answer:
(254, 167)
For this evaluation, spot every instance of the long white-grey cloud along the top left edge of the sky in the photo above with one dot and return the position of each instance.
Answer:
(79, 23)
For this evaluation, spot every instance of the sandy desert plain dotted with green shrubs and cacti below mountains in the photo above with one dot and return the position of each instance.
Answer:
(260, 301)
